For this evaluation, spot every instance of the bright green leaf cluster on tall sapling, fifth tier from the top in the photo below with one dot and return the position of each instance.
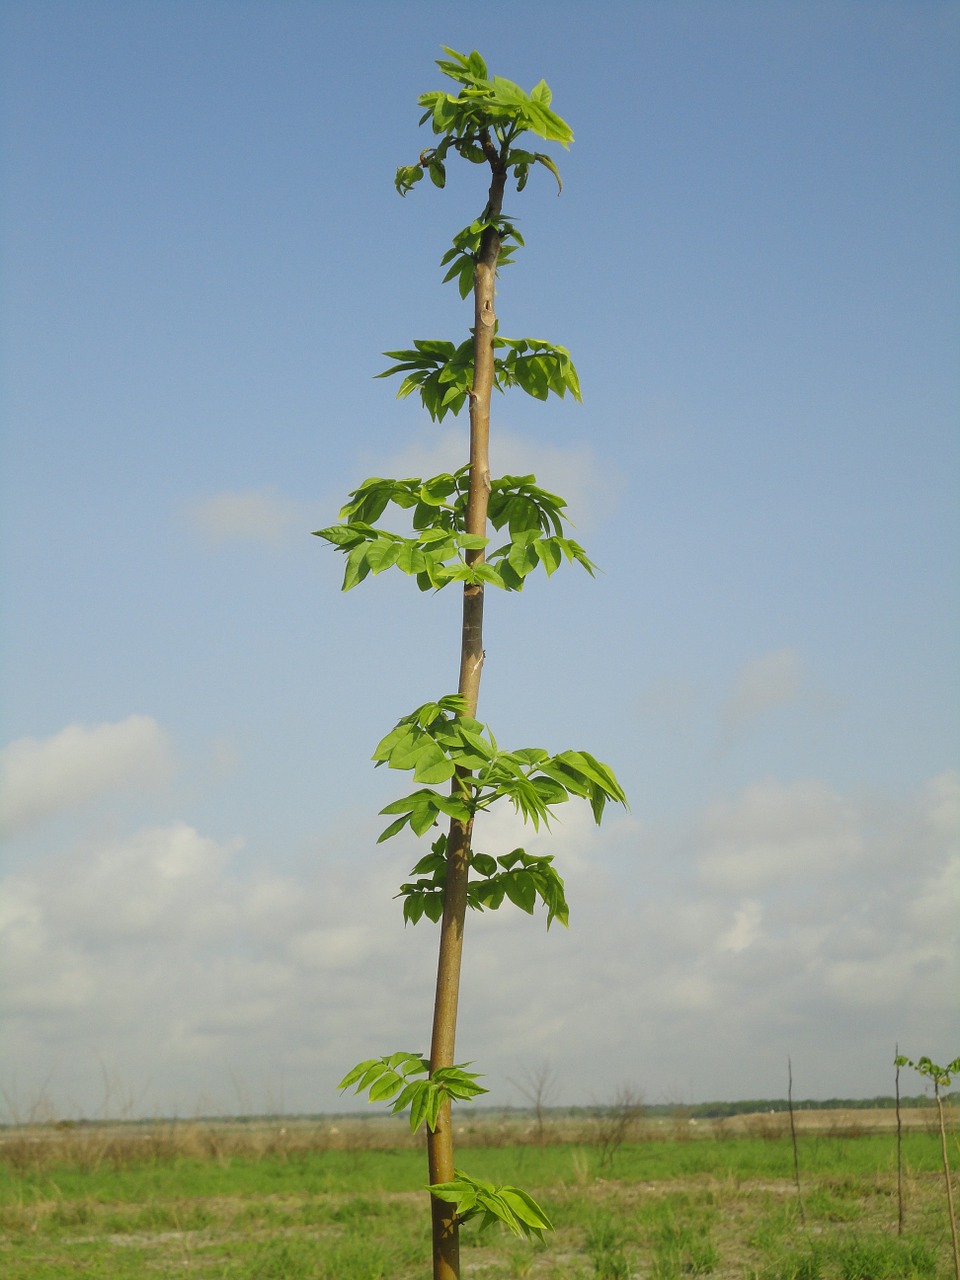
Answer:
(440, 743)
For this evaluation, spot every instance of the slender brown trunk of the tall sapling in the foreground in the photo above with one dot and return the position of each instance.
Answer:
(440, 1142)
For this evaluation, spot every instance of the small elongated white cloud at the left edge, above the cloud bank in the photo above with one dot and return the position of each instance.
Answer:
(42, 778)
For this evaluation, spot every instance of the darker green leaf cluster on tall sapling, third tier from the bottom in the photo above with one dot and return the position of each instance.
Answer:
(520, 877)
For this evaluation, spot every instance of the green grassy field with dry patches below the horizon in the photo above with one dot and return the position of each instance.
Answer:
(340, 1203)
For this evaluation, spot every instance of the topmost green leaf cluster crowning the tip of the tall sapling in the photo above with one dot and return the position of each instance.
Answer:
(482, 122)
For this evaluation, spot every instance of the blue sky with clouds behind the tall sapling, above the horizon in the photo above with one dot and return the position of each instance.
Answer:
(755, 264)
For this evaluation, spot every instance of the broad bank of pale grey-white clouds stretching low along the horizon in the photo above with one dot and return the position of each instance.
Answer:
(685, 971)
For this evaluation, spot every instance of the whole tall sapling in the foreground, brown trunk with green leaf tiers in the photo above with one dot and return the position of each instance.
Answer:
(442, 743)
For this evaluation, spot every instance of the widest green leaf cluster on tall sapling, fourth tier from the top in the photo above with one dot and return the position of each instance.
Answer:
(440, 552)
